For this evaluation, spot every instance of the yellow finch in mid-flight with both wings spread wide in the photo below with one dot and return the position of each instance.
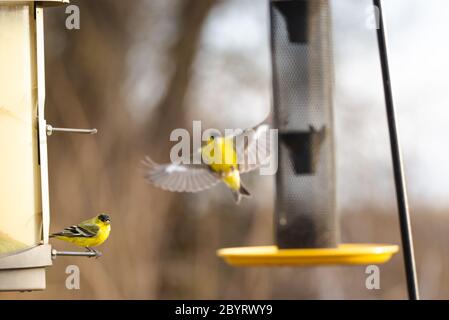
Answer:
(223, 159)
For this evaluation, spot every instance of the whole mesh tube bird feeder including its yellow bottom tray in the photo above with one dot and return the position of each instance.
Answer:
(305, 220)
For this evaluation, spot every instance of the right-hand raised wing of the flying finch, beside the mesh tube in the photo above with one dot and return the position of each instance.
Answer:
(253, 147)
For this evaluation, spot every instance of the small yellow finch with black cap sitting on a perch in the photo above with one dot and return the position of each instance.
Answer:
(87, 234)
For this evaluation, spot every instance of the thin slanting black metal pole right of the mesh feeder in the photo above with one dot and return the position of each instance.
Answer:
(401, 193)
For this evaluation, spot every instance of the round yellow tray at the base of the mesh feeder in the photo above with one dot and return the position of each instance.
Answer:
(344, 254)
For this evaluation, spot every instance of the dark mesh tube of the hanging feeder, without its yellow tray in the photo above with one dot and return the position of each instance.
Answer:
(305, 206)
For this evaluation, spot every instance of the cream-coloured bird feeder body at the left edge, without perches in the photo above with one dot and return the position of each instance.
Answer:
(24, 200)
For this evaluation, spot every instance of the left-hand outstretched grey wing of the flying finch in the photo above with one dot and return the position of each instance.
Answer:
(180, 177)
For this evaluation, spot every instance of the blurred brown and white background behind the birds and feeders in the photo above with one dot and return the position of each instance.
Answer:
(137, 69)
